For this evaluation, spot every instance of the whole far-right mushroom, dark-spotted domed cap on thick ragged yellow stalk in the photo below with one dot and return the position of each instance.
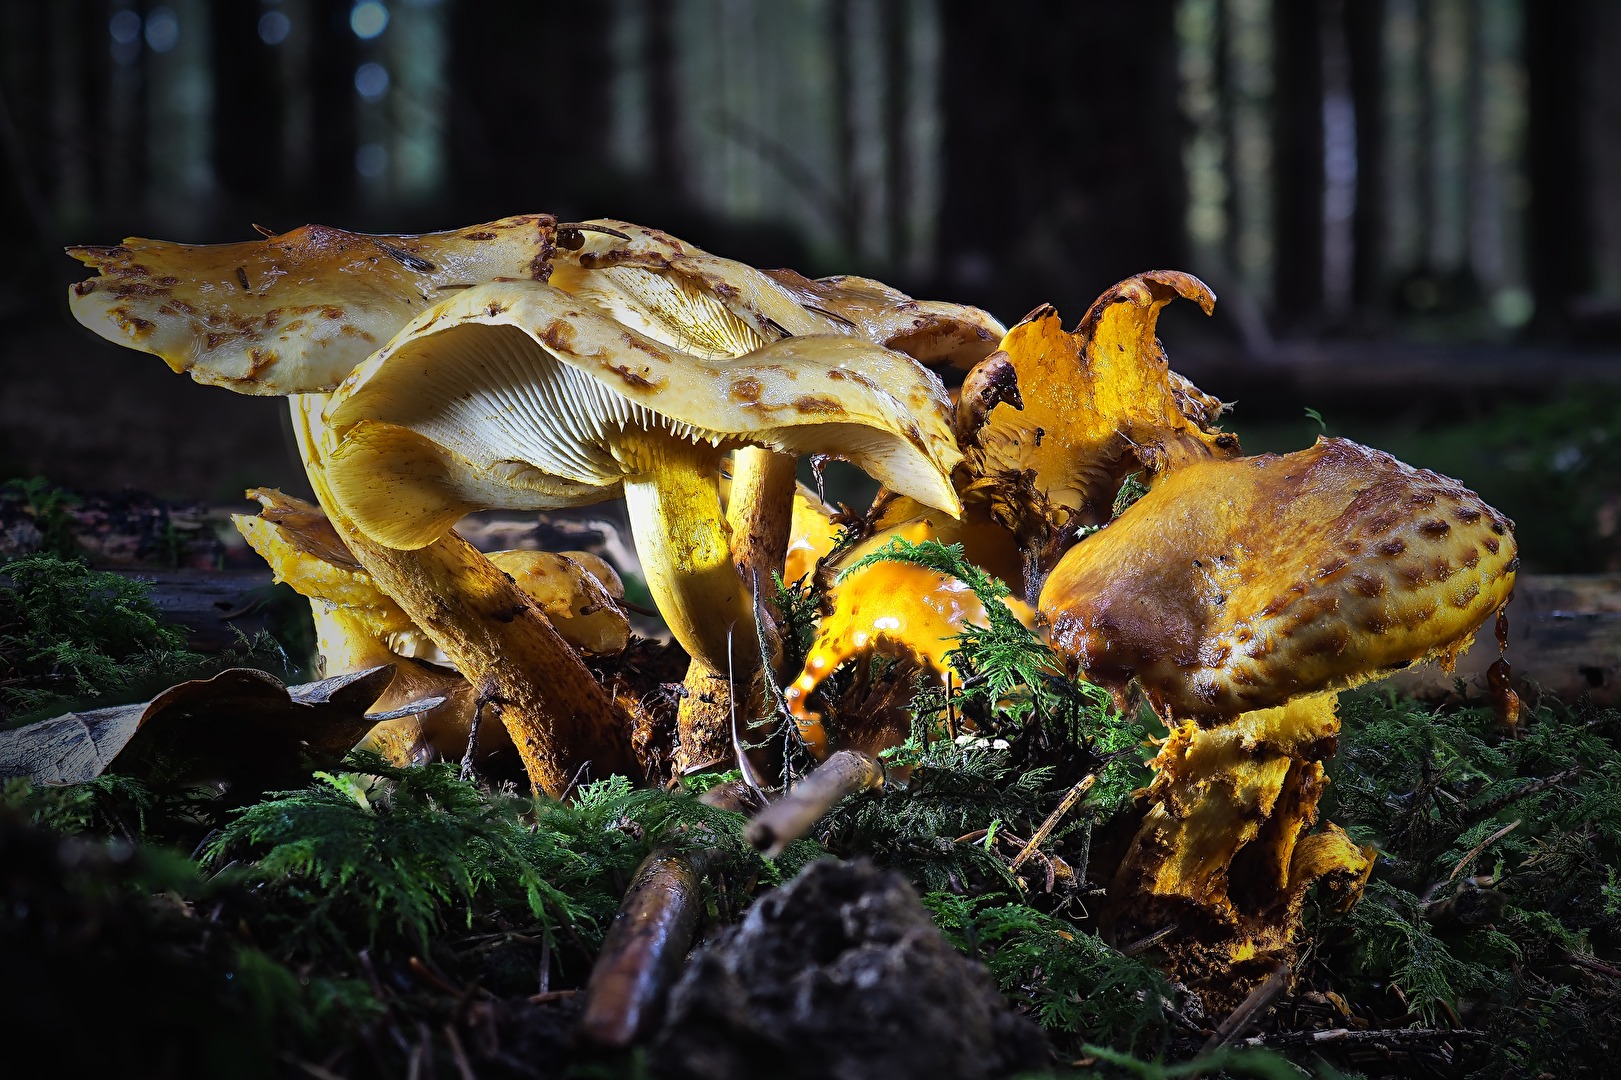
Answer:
(1241, 596)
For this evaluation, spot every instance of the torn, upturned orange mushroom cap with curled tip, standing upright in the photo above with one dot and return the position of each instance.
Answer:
(1098, 405)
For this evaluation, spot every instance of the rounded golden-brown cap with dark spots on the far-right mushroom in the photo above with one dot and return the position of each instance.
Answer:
(1239, 585)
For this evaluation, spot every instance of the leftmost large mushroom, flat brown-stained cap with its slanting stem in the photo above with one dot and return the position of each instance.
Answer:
(177, 302)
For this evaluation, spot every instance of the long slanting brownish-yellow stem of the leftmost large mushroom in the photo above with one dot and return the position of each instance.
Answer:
(558, 716)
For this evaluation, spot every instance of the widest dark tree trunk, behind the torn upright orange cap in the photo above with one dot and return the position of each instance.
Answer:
(1064, 169)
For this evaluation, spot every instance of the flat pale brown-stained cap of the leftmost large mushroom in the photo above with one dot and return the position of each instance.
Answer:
(296, 312)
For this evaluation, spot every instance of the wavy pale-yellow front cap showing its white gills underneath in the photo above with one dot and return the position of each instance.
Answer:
(516, 396)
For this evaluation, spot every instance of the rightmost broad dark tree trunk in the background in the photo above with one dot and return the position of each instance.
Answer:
(1555, 61)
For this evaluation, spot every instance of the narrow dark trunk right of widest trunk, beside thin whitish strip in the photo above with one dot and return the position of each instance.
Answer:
(1298, 182)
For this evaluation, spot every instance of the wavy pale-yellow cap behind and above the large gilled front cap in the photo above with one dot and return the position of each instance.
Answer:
(711, 307)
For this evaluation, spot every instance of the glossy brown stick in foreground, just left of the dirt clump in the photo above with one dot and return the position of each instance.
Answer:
(646, 945)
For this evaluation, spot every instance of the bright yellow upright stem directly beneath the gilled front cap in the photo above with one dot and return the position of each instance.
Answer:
(682, 539)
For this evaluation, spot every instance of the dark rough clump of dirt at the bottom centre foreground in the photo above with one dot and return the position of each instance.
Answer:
(842, 974)
